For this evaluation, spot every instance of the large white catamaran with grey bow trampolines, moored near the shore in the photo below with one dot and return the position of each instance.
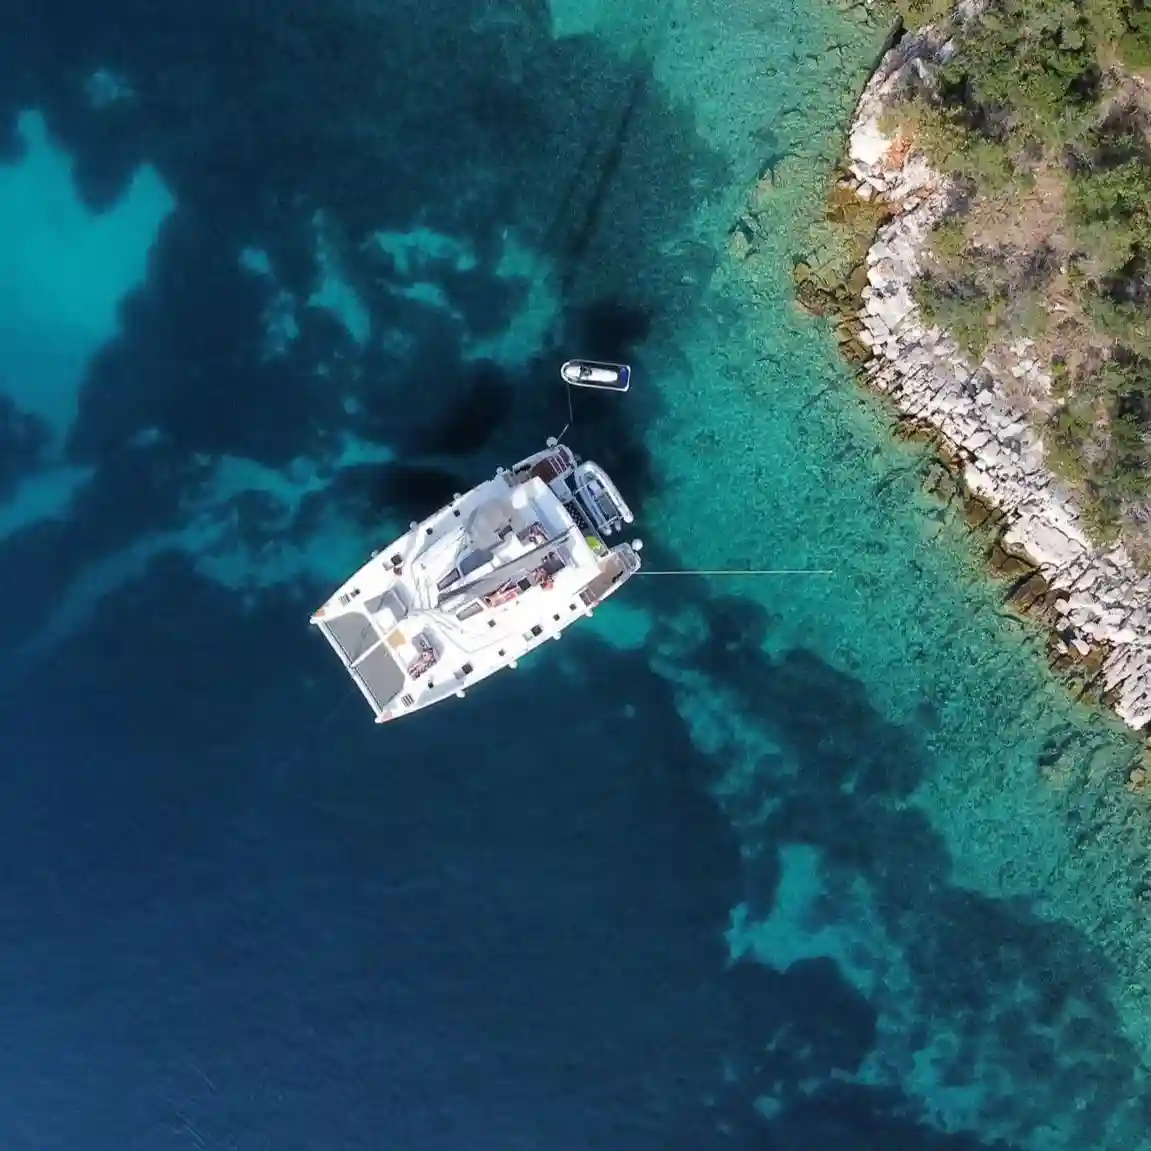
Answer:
(481, 583)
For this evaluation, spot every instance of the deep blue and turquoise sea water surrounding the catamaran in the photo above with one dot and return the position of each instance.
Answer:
(745, 863)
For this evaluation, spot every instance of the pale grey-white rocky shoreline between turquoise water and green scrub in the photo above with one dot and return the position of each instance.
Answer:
(1095, 601)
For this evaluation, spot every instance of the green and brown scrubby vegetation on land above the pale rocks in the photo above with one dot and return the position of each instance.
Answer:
(1043, 117)
